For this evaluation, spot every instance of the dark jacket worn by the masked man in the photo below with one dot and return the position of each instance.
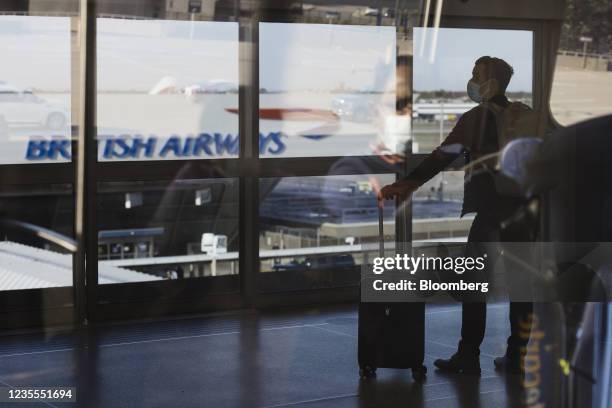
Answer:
(474, 136)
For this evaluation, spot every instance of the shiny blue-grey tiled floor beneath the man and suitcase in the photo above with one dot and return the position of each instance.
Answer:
(296, 358)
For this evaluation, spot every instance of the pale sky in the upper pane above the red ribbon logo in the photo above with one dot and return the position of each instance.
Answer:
(325, 56)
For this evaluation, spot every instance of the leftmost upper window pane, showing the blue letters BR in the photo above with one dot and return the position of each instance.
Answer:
(35, 102)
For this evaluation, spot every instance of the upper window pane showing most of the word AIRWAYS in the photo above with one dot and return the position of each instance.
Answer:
(167, 90)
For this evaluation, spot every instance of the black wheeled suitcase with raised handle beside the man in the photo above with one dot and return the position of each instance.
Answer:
(391, 335)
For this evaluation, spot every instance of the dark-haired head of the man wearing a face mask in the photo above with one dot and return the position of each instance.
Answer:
(490, 77)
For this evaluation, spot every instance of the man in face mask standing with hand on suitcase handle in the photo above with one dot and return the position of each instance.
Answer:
(475, 135)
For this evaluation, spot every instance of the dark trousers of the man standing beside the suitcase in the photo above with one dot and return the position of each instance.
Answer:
(486, 228)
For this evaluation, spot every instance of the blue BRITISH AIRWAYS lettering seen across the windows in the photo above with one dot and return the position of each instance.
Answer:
(139, 147)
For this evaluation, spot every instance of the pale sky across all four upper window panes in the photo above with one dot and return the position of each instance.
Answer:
(136, 54)
